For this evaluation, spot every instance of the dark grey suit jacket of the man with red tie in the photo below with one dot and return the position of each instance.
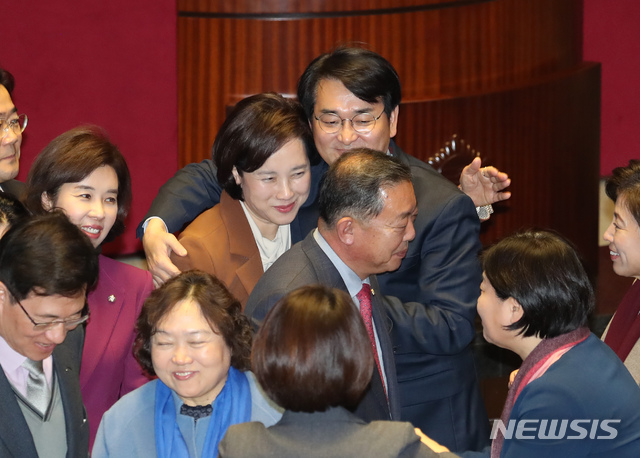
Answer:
(305, 264)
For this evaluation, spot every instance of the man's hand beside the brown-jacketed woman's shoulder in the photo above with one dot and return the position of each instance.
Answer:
(158, 244)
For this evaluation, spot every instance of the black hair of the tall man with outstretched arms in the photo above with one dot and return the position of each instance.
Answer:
(368, 75)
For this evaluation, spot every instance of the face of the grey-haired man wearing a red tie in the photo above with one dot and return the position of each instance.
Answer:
(381, 244)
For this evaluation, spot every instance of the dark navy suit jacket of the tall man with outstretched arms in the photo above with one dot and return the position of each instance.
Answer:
(438, 385)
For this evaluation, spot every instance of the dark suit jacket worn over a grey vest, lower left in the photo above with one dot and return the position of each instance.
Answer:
(15, 436)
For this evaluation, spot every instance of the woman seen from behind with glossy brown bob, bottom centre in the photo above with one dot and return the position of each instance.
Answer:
(312, 355)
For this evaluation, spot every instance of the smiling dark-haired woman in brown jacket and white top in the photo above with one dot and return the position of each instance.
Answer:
(262, 157)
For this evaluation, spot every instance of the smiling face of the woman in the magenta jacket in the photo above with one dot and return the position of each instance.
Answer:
(90, 204)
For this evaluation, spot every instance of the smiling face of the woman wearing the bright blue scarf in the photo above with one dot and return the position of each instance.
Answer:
(188, 356)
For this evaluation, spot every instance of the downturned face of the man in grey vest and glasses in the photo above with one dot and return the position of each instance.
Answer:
(17, 329)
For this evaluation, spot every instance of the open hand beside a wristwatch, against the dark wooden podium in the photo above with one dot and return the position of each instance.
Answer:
(484, 185)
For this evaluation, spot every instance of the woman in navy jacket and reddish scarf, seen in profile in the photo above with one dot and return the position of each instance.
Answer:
(571, 392)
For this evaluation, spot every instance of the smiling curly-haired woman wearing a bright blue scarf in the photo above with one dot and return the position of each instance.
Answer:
(192, 335)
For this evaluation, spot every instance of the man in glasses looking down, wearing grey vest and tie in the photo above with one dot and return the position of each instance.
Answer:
(46, 267)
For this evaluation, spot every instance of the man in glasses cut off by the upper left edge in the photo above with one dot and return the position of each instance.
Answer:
(11, 127)
